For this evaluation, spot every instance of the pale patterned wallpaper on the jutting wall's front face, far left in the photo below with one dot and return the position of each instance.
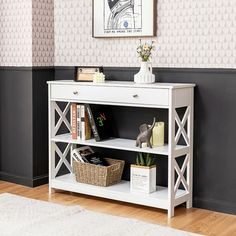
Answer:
(15, 33)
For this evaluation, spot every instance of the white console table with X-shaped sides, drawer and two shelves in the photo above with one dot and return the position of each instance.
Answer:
(158, 95)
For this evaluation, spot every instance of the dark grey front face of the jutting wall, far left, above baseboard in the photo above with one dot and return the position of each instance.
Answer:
(16, 148)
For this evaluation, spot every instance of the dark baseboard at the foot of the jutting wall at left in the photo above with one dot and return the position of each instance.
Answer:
(29, 182)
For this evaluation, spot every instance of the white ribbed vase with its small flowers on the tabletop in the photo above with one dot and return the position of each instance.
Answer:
(145, 76)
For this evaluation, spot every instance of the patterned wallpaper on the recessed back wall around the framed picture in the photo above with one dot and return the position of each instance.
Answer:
(191, 33)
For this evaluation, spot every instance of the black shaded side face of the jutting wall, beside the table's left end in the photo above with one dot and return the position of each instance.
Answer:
(40, 123)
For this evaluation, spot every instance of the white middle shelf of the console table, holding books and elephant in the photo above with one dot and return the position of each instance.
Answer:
(121, 144)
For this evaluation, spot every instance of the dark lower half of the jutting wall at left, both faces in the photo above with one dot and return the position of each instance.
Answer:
(23, 125)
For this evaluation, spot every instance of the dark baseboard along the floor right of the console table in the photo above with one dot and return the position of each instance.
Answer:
(215, 205)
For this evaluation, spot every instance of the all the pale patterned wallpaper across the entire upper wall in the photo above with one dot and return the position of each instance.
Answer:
(191, 33)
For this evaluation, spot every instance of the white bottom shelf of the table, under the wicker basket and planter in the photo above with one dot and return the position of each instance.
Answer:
(120, 192)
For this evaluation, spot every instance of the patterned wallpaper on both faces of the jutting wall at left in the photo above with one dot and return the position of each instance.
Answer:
(26, 33)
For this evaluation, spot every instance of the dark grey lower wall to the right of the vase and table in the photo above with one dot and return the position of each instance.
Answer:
(215, 136)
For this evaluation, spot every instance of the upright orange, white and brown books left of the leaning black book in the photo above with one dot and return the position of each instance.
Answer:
(80, 125)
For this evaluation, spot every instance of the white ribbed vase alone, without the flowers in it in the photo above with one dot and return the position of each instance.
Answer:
(145, 76)
